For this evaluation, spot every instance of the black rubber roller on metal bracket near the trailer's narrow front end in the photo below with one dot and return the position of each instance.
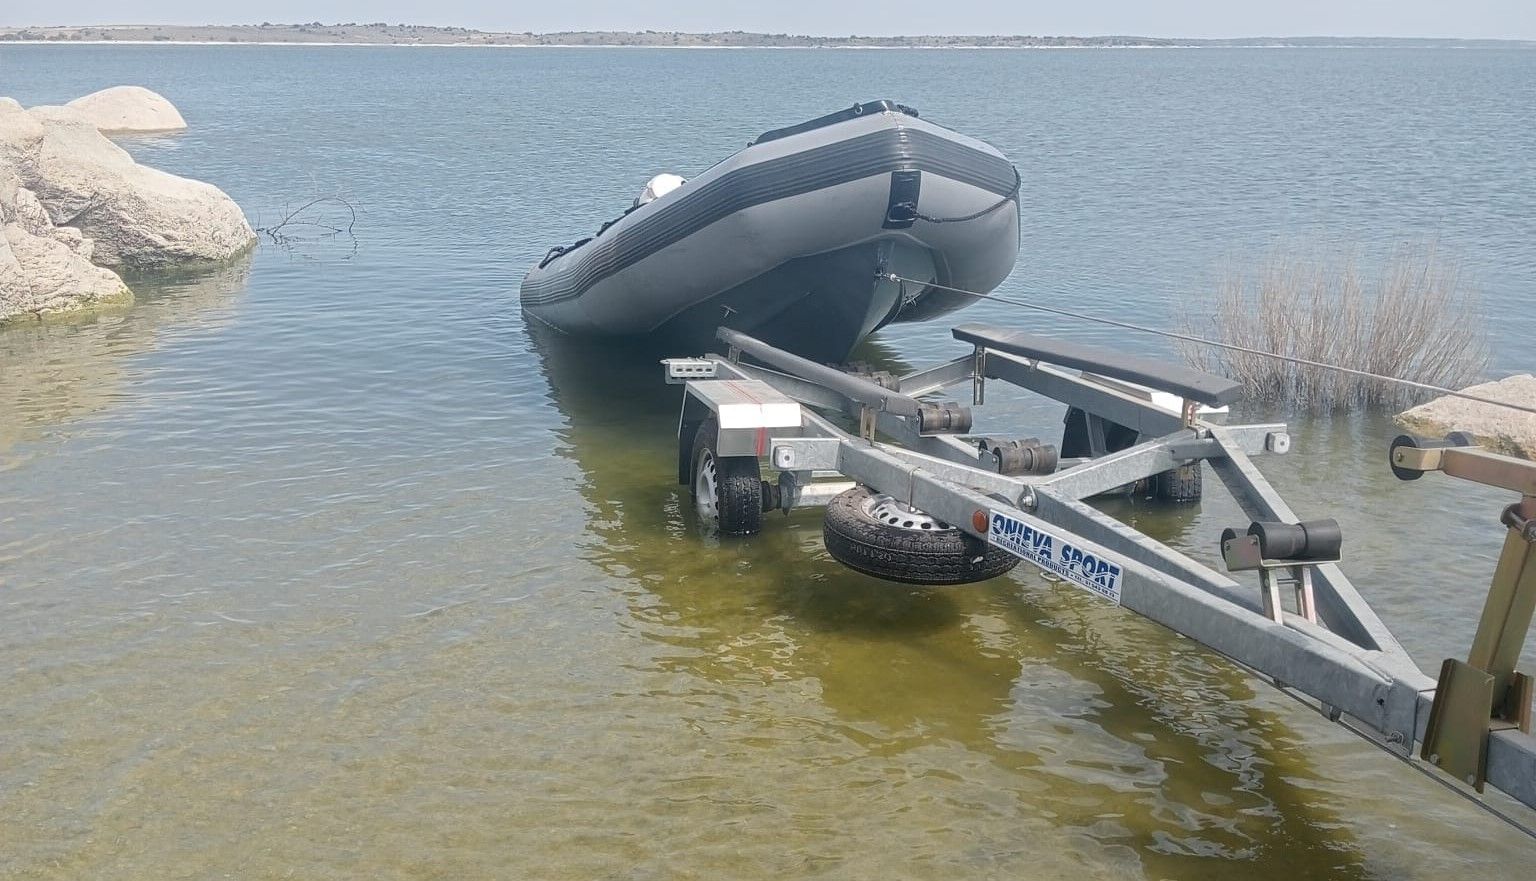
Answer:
(1283, 555)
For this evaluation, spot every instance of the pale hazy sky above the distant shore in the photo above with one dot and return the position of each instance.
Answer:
(1469, 19)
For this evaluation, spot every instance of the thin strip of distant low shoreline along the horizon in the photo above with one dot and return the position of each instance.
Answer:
(408, 36)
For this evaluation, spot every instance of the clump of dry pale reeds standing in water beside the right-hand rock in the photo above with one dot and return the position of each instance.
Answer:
(1414, 322)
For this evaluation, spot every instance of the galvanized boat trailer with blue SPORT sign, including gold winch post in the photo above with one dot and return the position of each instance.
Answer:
(1323, 642)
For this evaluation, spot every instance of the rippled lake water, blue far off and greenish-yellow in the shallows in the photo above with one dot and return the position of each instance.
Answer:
(323, 567)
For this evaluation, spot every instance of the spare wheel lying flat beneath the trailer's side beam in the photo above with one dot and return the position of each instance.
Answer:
(875, 535)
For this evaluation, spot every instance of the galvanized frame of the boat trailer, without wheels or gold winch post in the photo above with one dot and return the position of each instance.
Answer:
(1331, 647)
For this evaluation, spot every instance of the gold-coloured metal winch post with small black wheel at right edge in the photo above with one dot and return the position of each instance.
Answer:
(1485, 693)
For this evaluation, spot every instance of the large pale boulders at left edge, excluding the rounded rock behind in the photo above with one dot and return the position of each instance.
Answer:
(73, 203)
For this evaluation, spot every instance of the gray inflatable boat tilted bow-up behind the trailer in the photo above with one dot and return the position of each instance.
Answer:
(792, 240)
